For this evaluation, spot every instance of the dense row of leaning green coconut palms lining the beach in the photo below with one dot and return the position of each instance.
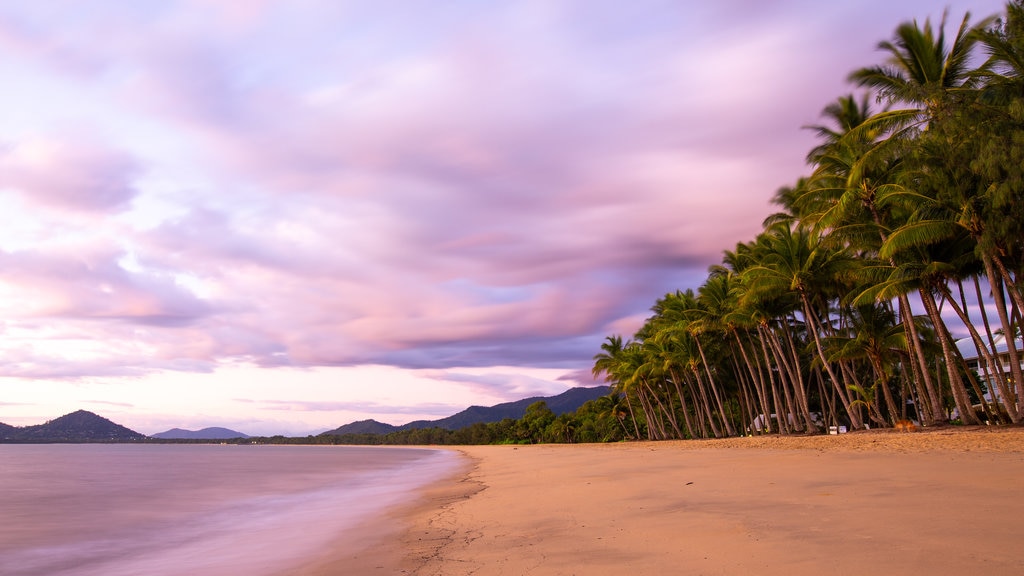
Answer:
(843, 311)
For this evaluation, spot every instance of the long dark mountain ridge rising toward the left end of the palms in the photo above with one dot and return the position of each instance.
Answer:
(569, 401)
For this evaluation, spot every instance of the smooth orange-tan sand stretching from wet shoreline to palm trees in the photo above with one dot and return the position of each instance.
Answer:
(938, 502)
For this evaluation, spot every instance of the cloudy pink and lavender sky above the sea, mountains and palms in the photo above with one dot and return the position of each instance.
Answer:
(283, 217)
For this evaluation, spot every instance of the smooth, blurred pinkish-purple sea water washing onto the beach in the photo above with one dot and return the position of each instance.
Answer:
(194, 510)
